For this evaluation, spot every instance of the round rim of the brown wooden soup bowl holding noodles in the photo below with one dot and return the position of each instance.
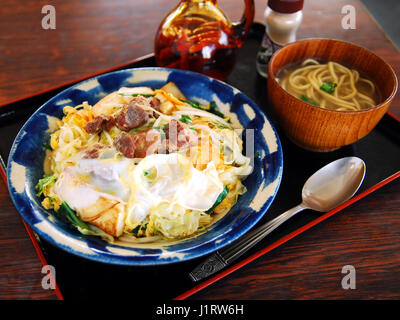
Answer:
(301, 41)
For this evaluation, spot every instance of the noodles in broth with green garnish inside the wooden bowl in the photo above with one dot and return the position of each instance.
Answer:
(329, 85)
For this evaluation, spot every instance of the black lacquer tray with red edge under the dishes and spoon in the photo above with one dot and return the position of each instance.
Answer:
(78, 278)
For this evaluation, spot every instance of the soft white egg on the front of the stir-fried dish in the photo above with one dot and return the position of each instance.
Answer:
(163, 187)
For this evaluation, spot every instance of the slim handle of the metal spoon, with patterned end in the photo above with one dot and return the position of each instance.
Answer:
(224, 257)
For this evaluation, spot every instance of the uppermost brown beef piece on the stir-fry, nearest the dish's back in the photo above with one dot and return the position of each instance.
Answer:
(133, 115)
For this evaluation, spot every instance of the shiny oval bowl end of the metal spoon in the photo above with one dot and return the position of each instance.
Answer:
(333, 184)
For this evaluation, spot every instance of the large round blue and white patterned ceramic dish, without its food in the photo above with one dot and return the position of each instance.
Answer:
(25, 167)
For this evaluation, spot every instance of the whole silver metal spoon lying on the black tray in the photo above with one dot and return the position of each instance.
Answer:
(326, 189)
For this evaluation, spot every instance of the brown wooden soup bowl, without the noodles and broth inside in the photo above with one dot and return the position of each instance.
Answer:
(319, 129)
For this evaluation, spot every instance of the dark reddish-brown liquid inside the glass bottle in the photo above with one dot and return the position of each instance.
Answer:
(198, 44)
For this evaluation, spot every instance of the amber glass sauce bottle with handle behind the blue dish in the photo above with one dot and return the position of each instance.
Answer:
(198, 36)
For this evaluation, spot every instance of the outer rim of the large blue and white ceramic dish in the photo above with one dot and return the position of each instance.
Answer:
(128, 260)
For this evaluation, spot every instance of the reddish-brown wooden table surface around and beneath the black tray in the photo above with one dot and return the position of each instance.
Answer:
(94, 35)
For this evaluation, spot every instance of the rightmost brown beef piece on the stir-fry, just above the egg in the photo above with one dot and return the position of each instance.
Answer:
(179, 136)
